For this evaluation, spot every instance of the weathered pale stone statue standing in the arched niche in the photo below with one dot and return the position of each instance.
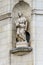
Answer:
(21, 28)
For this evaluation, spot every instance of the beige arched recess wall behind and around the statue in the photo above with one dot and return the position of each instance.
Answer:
(26, 10)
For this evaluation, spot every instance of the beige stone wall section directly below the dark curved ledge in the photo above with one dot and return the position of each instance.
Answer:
(22, 60)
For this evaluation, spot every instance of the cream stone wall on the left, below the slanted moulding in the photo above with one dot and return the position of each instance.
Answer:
(5, 41)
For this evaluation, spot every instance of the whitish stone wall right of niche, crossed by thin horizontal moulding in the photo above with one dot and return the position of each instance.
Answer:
(38, 31)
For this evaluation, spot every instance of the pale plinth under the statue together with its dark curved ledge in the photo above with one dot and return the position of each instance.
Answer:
(22, 48)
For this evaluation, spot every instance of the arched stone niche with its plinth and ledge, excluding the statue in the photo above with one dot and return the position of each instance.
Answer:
(20, 48)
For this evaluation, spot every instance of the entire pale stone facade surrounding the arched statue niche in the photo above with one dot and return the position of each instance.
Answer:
(7, 34)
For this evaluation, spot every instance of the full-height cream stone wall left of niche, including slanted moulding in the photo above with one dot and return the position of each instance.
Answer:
(5, 32)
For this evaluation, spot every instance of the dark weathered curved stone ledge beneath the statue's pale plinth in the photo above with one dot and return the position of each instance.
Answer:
(21, 50)
